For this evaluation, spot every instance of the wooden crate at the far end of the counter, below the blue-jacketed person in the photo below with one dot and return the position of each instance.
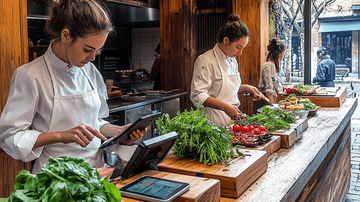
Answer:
(326, 101)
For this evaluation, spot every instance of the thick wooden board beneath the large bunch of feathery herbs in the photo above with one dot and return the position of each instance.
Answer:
(234, 178)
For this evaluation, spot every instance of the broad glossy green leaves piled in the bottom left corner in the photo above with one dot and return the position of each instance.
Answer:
(63, 179)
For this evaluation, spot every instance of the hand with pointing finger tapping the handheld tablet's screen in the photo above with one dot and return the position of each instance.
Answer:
(81, 134)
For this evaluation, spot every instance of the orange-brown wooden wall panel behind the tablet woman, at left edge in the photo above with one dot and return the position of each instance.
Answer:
(13, 53)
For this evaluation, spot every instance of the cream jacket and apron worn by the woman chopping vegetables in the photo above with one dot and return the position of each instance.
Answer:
(210, 69)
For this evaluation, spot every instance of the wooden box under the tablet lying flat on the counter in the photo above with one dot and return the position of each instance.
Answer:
(201, 189)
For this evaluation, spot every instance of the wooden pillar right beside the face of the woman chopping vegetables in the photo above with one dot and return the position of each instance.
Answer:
(255, 15)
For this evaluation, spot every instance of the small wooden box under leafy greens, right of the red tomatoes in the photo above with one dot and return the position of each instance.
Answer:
(293, 134)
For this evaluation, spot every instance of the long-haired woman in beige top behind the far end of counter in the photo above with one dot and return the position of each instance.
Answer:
(269, 81)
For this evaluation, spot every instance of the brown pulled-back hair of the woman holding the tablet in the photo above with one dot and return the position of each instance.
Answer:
(80, 17)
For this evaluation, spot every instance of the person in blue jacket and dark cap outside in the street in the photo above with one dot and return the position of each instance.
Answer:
(325, 73)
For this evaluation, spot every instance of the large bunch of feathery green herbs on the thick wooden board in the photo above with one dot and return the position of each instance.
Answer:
(198, 136)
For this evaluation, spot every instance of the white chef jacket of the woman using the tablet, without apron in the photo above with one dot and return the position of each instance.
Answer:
(30, 102)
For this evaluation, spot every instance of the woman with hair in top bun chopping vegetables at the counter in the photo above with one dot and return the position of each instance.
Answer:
(216, 80)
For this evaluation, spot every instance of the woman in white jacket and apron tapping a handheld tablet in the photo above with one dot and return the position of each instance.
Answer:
(56, 103)
